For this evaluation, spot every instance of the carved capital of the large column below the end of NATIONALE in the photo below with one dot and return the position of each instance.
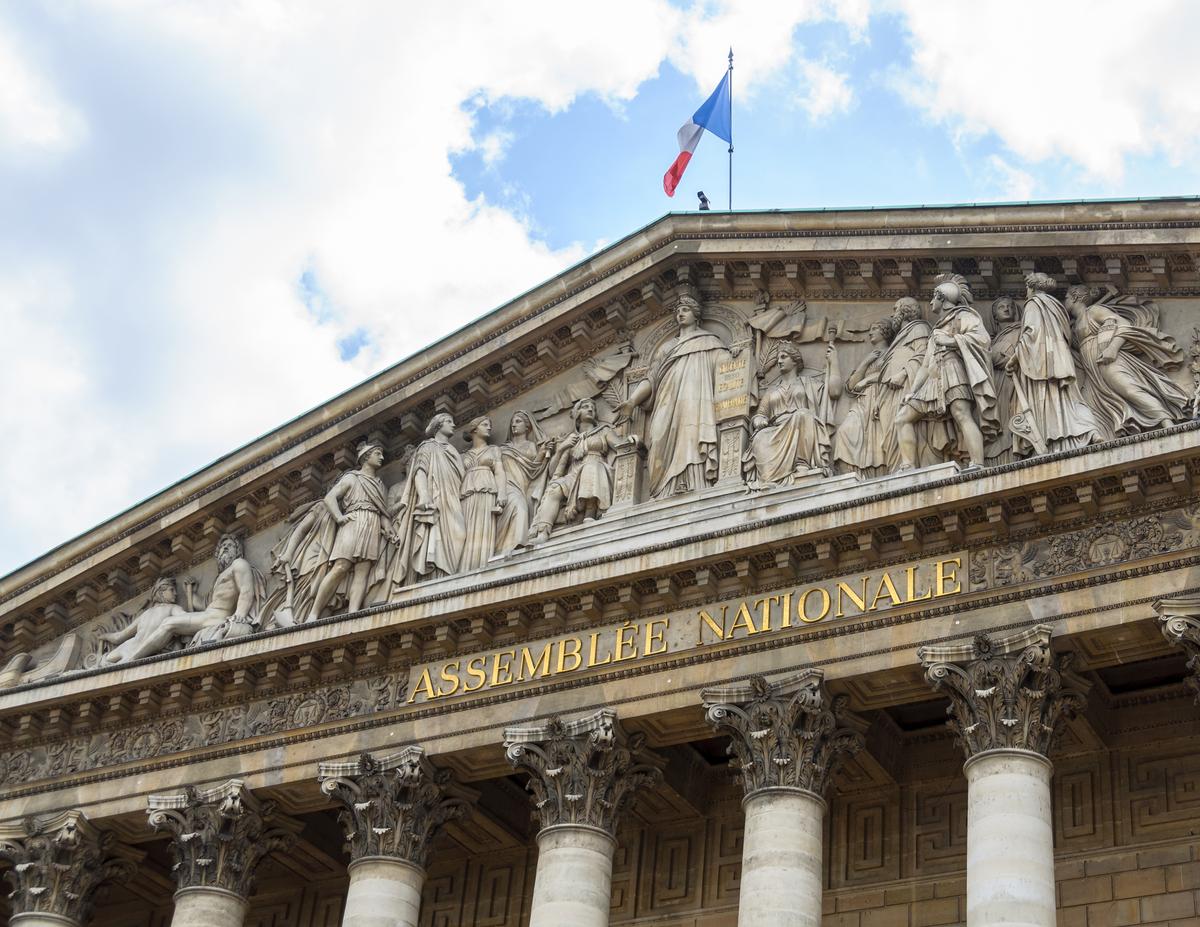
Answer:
(1012, 693)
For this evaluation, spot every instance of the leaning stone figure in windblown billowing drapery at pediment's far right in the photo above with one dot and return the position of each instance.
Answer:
(1125, 362)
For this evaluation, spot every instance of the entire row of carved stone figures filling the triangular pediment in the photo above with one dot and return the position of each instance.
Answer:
(1046, 376)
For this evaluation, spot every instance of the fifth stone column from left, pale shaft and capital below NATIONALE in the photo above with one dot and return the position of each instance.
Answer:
(787, 740)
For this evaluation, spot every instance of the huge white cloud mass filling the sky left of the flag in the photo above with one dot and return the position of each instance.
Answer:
(269, 181)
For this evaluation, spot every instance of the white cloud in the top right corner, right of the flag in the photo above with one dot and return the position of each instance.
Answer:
(1091, 81)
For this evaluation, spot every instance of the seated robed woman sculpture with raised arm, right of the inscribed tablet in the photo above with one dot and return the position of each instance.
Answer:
(793, 427)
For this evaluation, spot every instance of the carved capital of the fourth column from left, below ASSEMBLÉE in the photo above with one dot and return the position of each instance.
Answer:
(586, 771)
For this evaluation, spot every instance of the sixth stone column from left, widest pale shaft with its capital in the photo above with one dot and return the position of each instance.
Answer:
(1009, 699)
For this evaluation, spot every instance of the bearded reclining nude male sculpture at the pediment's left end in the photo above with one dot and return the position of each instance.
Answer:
(233, 611)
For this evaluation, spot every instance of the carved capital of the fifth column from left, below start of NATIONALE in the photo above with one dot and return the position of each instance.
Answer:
(790, 733)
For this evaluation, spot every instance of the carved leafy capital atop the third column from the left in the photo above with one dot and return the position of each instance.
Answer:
(393, 806)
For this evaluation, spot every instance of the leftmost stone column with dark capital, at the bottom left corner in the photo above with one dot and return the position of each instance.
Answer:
(59, 864)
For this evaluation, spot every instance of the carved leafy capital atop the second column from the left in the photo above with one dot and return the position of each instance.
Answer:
(220, 835)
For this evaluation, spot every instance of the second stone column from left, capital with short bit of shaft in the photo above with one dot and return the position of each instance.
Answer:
(220, 836)
